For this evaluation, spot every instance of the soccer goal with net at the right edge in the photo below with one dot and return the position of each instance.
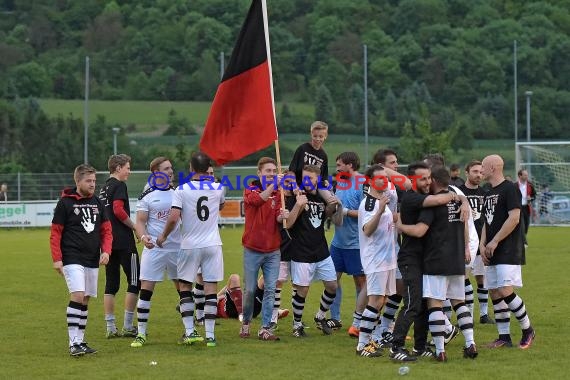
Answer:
(548, 166)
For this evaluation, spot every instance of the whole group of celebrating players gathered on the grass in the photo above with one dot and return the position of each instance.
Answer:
(413, 238)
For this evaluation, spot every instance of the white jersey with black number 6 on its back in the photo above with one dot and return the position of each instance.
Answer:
(200, 203)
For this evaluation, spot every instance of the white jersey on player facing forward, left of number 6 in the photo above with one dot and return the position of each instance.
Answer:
(157, 204)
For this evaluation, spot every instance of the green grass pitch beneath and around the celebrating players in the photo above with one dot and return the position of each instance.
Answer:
(34, 335)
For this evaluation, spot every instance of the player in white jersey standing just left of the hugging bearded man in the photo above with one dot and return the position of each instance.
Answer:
(377, 254)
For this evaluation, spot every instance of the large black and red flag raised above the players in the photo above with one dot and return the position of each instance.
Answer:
(242, 117)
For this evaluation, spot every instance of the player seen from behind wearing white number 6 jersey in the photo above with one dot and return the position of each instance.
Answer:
(198, 203)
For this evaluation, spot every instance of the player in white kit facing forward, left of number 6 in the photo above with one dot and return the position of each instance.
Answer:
(153, 209)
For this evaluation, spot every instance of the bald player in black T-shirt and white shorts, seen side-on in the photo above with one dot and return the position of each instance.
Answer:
(502, 250)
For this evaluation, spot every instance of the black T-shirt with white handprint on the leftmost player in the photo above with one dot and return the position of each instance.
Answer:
(81, 220)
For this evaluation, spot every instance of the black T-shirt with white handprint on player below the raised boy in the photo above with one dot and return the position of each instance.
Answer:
(308, 241)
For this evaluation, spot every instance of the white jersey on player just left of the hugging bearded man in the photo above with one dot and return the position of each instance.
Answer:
(377, 251)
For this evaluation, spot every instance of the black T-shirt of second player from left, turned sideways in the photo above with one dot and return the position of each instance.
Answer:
(113, 190)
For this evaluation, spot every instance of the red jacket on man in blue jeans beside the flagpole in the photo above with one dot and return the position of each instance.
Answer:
(261, 232)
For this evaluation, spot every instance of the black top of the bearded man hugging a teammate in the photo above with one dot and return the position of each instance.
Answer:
(410, 209)
